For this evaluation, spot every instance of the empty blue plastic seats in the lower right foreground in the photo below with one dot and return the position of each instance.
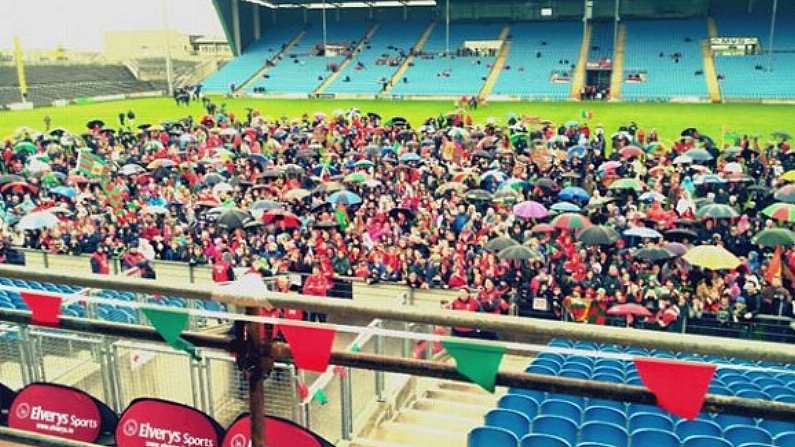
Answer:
(527, 418)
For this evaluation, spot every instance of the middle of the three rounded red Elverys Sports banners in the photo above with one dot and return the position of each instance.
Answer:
(161, 423)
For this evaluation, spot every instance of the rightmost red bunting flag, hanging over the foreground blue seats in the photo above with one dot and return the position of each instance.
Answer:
(680, 387)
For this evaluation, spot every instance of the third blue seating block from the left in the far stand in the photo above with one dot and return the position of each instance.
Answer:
(380, 58)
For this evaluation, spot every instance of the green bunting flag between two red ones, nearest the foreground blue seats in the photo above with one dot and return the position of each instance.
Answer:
(478, 363)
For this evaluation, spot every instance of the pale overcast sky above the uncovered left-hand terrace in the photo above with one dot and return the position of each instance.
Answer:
(80, 24)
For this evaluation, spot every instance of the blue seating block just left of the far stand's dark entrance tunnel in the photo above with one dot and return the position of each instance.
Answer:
(538, 49)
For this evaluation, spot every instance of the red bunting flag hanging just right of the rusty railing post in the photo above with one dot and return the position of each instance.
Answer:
(311, 346)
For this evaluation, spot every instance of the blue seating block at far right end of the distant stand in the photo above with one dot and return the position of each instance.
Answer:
(748, 76)
